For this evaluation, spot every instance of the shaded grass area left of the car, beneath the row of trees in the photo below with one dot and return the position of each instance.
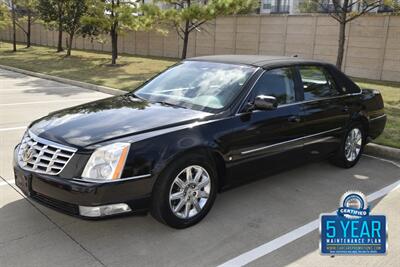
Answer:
(90, 67)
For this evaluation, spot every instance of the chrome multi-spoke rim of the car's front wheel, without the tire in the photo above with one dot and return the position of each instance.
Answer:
(189, 192)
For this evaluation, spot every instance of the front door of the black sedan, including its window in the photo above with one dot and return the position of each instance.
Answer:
(260, 137)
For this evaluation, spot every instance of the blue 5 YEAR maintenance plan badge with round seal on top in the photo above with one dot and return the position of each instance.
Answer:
(353, 230)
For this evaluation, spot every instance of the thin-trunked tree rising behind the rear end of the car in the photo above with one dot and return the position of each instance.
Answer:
(345, 11)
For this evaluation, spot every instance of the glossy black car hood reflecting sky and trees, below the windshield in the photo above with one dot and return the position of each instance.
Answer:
(110, 118)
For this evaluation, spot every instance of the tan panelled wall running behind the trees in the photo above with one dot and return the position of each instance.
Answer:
(372, 48)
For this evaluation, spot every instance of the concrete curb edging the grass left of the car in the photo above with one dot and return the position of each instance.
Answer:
(99, 88)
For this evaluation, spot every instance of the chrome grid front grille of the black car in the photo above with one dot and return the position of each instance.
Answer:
(42, 156)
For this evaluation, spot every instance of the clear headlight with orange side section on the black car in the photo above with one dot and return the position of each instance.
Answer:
(107, 162)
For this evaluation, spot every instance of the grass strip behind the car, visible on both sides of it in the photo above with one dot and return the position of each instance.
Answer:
(93, 67)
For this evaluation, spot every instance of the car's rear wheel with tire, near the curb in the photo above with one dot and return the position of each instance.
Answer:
(352, 146)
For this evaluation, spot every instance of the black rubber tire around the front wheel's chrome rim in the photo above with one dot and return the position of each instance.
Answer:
(161, 209)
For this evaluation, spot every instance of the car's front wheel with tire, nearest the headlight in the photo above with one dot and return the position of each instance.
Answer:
(185, 191)
